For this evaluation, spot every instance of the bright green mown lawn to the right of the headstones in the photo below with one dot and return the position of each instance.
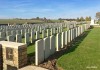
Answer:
(85, 54)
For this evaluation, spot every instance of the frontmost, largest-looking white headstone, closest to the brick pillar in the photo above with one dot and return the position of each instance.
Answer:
(39, 51)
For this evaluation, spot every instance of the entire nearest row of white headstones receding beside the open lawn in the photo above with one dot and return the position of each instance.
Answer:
(49, 45)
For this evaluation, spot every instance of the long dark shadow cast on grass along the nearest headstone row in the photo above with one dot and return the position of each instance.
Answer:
(70, 47)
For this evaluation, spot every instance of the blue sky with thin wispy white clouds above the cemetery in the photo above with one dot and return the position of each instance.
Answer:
(48, 8)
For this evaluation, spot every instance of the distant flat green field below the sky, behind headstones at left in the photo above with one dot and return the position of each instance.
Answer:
(11, 21)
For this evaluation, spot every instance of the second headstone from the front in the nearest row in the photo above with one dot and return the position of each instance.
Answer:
(46, 47)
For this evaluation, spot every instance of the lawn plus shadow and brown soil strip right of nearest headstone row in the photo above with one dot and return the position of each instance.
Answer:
(81, 54)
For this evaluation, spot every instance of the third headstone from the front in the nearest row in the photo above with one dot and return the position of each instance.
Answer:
(52, 45)
